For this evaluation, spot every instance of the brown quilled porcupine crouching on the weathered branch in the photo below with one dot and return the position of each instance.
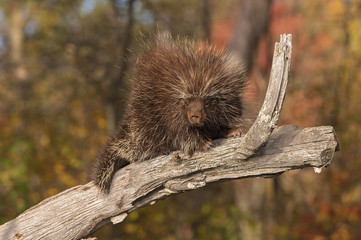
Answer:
(184, 95)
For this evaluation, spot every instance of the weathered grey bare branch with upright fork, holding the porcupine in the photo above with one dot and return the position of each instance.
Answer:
(264, 151)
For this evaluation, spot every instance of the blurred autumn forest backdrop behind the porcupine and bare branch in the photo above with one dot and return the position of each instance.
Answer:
(65, 68)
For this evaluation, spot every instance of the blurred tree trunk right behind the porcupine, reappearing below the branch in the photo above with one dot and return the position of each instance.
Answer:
(251, 195)
